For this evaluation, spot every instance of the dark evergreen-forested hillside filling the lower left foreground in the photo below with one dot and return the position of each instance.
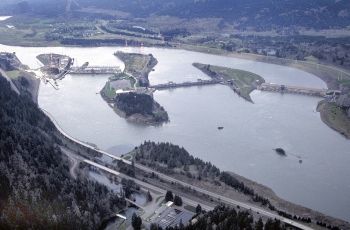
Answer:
(36, 189)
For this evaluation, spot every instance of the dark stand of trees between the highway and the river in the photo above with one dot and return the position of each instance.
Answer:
(171, 159)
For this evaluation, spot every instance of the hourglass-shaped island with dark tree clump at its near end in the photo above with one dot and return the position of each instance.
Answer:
(127, 92)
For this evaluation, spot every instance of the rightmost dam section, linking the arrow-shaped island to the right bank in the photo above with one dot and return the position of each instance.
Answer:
(293, 89)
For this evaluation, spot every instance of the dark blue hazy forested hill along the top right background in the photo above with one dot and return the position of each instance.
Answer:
(266, 13)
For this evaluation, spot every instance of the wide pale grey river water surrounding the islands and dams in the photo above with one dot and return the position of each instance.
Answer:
(251, 131)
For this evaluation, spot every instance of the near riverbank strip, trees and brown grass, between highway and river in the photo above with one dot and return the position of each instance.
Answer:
(202, 174)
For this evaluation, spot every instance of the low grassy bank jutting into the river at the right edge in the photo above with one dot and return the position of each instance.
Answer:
(334, 117)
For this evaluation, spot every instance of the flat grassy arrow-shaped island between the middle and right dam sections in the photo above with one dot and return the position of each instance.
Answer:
(244, 81)
